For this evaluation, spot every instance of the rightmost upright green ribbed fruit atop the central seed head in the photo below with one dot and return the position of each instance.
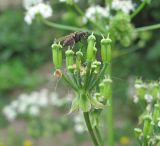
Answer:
(106, 50)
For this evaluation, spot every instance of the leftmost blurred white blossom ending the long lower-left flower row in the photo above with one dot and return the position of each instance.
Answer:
(9, 113)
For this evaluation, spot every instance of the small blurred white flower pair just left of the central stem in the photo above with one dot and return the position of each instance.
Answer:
(79, 126)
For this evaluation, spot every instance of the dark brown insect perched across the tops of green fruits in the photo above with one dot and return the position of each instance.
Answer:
(73, 38)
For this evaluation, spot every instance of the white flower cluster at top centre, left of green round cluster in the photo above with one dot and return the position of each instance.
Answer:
(95, 12)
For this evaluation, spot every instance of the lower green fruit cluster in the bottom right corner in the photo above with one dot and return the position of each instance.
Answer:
(149, 133)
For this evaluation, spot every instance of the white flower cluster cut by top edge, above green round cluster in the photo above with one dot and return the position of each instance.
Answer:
(125, 5)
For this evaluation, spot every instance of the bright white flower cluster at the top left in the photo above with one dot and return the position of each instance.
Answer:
(35, 7)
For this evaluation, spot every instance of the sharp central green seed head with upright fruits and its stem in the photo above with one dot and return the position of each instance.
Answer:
(89, 78)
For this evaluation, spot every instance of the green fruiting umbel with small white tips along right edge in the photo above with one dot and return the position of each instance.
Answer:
(148, 95)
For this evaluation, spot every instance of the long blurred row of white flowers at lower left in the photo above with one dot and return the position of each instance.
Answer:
(32, 104)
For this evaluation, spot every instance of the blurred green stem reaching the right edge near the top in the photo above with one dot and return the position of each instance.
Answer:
(147, 28)
